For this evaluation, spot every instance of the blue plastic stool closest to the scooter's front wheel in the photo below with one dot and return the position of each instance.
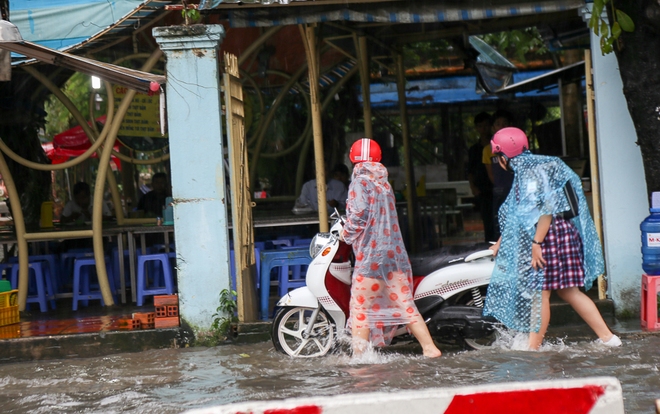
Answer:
(276, 258)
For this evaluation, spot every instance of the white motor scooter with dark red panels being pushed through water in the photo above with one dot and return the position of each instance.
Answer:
(449, 291)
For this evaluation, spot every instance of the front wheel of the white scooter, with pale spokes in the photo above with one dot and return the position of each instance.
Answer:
(289, 335)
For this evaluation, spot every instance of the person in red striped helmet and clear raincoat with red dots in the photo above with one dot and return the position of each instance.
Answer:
(381, 290)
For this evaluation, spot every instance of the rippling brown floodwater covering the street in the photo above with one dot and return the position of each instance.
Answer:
(175, 380)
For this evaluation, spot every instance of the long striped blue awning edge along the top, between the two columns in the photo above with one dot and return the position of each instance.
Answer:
(393, 12)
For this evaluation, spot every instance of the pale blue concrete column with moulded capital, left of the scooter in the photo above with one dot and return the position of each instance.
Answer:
(198, 178)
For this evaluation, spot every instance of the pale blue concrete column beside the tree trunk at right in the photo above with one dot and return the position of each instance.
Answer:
(622, 183)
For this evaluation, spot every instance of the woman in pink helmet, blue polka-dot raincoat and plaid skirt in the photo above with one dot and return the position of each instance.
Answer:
(540, 250)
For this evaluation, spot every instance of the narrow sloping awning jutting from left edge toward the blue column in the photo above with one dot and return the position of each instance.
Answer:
(11, 39)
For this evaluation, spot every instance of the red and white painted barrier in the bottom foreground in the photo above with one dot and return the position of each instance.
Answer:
(601, 395)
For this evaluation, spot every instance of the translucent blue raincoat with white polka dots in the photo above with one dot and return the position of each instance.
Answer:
(514, 293)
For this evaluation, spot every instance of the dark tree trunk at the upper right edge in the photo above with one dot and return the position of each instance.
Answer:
(639, 63)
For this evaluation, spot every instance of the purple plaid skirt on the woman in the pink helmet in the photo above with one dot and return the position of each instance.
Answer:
(562, 250)
